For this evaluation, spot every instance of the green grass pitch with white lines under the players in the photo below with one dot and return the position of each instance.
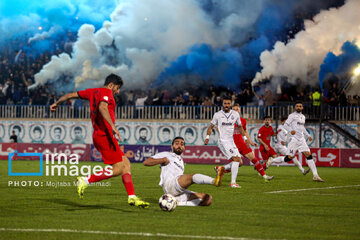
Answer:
(246, 213)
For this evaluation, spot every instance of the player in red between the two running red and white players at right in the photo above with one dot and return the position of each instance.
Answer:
(264, 137)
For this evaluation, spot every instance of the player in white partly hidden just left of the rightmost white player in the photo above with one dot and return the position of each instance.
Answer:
(281, 149)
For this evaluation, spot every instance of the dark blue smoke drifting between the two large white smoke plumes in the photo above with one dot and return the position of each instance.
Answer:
(229, 65)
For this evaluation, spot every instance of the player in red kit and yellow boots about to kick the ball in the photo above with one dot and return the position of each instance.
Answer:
(102, 105)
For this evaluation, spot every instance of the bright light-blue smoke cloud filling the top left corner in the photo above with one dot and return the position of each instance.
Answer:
(22, 19)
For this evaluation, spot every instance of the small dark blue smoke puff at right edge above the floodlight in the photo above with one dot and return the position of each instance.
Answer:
(339, 65)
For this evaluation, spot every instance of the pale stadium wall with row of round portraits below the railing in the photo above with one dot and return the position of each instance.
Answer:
(153, 132)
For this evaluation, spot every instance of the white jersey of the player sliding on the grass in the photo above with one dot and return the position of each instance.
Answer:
(173, 169)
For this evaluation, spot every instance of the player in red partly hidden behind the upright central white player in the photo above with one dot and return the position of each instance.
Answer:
(244, 149)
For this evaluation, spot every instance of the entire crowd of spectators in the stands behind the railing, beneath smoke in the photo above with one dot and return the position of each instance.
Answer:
(18, 67)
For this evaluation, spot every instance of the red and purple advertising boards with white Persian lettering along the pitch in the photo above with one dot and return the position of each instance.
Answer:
(324, 157)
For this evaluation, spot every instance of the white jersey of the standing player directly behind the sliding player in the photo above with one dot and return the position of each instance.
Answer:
(226, 124)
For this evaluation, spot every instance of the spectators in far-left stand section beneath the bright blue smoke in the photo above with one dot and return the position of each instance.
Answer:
(18, 66)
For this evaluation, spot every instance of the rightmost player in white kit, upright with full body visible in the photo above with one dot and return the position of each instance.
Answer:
(295, 124)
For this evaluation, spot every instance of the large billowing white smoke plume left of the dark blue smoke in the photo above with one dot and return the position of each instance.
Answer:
(144, 37)
